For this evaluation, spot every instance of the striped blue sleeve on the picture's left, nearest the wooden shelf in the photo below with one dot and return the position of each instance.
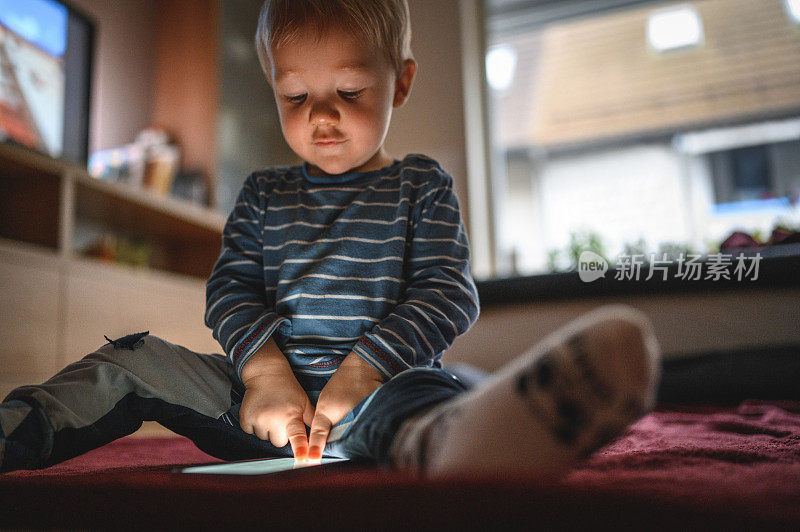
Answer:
(236, 304)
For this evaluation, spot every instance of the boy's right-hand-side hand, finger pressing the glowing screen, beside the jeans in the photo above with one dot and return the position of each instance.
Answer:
(353, 381)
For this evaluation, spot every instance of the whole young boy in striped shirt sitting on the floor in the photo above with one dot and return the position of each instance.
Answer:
(340, 284)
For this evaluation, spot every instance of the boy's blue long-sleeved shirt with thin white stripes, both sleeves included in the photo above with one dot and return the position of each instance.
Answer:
(376, 263)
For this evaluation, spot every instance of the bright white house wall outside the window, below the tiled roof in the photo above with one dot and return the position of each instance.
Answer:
(622, 194)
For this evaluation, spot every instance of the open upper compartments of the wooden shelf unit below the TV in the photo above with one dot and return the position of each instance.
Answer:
(44, 200)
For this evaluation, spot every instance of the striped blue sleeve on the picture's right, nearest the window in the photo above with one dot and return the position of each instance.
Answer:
(440, 300)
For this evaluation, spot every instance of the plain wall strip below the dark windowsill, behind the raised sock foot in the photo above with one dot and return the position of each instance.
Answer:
(684, 323)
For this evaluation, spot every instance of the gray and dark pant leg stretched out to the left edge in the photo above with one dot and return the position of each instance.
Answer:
(110, 392)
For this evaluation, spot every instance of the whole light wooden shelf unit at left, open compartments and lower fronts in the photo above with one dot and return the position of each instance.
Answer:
(56, 304)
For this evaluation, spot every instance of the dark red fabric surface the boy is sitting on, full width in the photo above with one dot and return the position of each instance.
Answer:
(679, 466)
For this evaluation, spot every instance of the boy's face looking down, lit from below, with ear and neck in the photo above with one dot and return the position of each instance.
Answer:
(335, 97)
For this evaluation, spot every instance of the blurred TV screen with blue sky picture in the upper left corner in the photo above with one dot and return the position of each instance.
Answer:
(45, 63)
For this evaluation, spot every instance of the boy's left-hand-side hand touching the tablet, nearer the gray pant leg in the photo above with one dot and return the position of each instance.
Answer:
(275, 407)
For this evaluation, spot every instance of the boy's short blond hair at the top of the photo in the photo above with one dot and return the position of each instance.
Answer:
(384, 24)
